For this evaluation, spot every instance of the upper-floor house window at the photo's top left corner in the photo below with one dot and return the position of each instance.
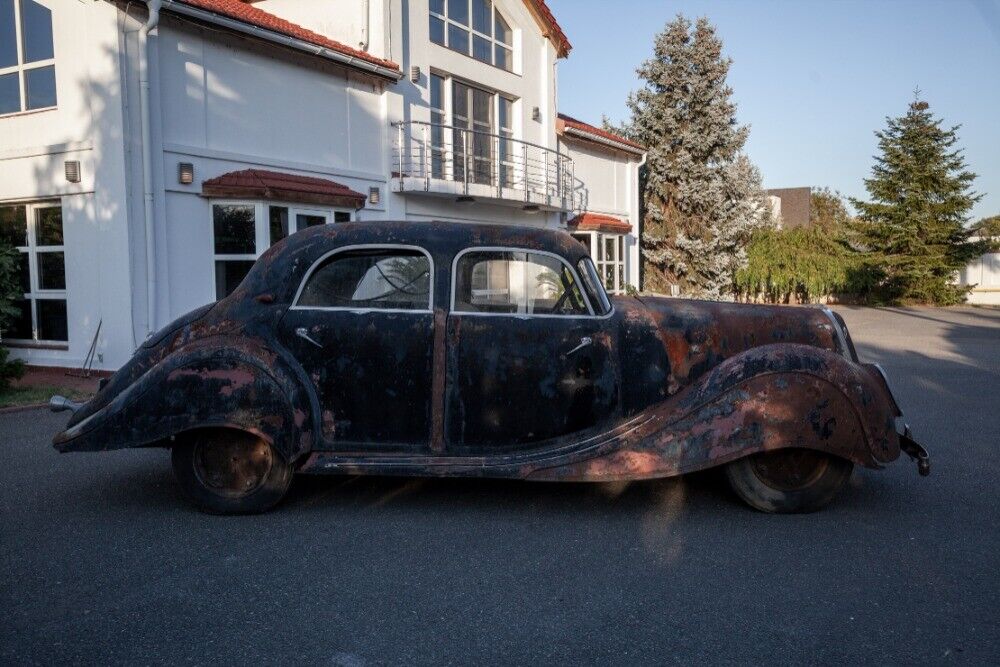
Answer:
(27, 57)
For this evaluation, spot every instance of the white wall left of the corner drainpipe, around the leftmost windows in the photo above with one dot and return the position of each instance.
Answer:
(86, 125)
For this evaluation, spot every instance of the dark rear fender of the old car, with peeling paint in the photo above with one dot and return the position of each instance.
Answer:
(215, 382)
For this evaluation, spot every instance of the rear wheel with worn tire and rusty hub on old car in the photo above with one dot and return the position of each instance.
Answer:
(226, 471)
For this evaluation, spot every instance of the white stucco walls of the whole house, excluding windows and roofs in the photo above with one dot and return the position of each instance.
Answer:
(226, 102)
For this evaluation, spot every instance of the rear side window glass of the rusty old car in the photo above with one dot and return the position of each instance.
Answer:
(373, 278)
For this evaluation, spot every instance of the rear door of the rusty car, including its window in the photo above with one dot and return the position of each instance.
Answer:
(362, 328)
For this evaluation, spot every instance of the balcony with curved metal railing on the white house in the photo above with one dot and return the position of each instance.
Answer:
(472, 165)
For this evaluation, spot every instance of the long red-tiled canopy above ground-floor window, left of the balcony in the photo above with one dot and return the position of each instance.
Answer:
(278, 186)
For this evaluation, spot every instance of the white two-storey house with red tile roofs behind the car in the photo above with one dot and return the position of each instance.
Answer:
(148, 157)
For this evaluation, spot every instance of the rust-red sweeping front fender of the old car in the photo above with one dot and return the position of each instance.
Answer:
(769, 397)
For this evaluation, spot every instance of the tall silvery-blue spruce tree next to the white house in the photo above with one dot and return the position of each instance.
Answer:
(702, 197)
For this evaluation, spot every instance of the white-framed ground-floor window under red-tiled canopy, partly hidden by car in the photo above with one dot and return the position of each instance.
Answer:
(242, 231)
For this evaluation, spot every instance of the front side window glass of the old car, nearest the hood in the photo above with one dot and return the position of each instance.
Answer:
(516, 282)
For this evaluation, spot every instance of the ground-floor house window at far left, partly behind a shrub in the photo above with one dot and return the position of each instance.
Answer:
(36, 232)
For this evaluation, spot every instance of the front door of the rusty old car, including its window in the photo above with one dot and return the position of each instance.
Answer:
(528, 359)
